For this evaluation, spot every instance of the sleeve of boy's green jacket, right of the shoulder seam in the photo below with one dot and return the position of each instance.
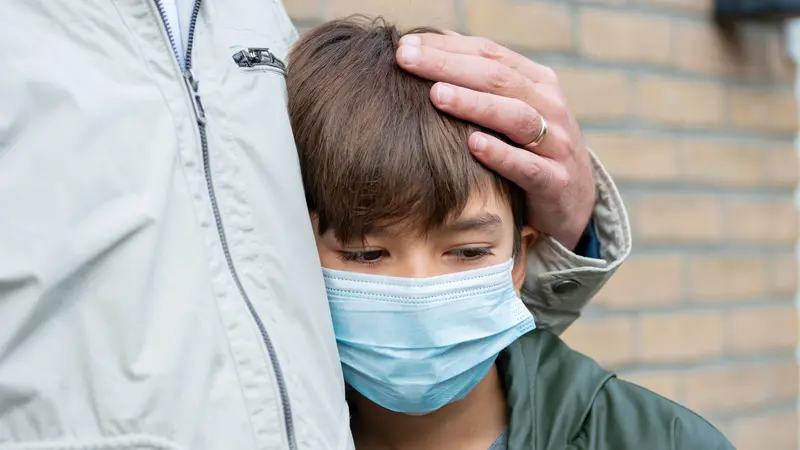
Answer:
(626, 416)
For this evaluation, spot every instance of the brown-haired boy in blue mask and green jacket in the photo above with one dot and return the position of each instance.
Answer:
(421, 248)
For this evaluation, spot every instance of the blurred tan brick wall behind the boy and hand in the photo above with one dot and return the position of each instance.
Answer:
(698, 131)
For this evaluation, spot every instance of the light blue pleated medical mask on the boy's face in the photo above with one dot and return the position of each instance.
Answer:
(414, 345)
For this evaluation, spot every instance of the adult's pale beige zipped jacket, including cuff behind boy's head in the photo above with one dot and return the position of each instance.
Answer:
(159, 283)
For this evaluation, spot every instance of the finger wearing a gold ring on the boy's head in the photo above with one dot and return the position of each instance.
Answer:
(509, 116)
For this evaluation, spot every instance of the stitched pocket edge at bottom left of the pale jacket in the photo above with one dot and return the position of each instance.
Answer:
(128, 442)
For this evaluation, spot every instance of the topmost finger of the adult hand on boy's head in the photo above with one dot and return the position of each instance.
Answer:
(486, 48)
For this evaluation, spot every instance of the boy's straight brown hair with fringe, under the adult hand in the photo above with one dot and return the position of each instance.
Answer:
(373, 149)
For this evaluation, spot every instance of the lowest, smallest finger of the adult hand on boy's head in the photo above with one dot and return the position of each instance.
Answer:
(526, 169)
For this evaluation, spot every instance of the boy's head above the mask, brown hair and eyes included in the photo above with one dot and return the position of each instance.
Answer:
(391, 185)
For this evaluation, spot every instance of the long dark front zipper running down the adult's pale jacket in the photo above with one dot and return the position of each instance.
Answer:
(192, 85)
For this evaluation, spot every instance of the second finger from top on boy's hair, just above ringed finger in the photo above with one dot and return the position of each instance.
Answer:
(469, 71)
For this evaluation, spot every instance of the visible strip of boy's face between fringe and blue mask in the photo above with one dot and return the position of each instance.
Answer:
(482, 236)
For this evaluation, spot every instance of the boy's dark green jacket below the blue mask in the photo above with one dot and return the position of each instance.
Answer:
(559, 399)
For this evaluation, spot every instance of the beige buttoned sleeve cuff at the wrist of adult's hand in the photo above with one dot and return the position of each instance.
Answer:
(559, 283)
